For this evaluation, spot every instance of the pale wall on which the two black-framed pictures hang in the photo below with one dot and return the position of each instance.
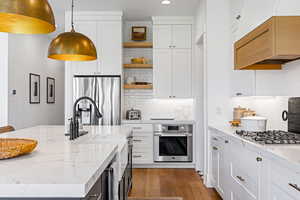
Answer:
(28, 54)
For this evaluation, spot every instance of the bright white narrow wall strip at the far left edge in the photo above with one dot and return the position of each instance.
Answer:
(3, 79)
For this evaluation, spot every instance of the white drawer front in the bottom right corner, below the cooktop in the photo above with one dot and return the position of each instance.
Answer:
(286, 181)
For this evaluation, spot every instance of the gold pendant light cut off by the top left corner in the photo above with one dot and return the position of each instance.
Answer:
(26, 17)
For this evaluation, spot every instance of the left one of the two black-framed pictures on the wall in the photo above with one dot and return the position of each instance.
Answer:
(34, 89)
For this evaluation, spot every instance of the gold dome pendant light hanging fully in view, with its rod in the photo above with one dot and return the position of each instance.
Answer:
(72, 46)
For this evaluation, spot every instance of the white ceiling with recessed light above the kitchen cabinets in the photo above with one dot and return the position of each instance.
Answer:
(133, 9)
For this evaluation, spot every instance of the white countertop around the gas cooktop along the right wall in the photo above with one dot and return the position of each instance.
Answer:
(284, 153)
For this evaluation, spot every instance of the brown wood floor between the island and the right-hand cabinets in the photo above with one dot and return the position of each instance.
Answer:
(184, 183)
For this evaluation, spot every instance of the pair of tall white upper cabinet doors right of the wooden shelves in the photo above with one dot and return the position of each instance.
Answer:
(172, 73)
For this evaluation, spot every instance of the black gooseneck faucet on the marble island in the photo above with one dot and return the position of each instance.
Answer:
(74, 124)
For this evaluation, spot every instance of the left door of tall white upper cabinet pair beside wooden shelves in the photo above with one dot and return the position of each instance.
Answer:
(162, 73)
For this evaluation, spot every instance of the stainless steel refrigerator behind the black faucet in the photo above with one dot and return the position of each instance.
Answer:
(106, 92)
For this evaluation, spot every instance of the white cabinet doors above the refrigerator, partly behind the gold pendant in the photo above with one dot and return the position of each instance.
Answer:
(107, 37)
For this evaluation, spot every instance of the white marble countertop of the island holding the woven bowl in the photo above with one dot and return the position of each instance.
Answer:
(59, 167)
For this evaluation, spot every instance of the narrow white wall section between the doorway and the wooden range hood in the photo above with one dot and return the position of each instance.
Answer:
(219, 60)
